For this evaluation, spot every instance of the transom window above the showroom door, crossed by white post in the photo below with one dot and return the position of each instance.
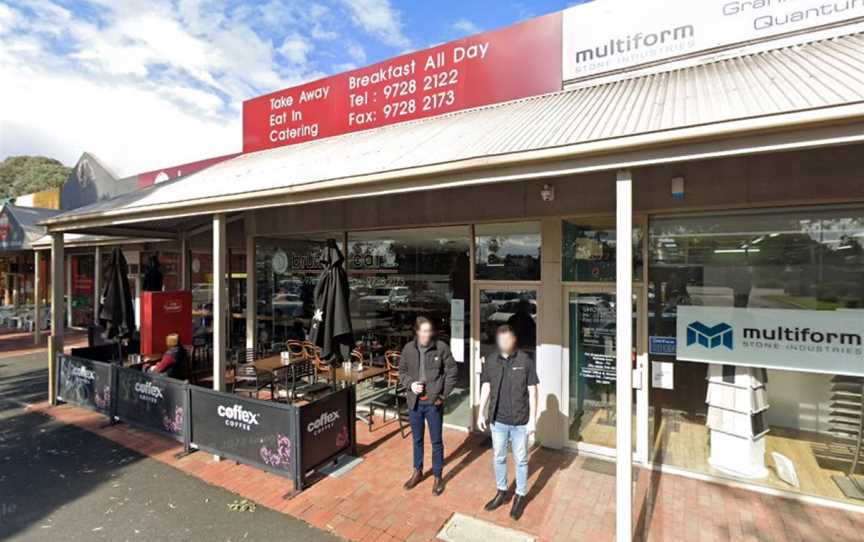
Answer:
(588, 250)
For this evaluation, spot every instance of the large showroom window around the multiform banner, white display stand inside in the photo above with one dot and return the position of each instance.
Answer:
(789, 430)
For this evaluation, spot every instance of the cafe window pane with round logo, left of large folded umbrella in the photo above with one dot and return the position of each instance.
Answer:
(287, 271)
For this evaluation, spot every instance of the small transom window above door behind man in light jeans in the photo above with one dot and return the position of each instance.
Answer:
(507, 251)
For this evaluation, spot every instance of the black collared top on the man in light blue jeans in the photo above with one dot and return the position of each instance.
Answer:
(509, 378)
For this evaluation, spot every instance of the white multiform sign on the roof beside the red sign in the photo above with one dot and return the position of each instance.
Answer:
(608, 35)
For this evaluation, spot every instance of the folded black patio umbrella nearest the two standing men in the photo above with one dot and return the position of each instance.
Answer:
(331, 324)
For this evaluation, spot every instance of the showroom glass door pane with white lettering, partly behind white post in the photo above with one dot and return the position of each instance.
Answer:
(590, 339)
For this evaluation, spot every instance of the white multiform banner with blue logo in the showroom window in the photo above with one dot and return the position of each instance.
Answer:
(797, 340)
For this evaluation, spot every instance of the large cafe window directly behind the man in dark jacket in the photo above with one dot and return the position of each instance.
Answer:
(396, 276)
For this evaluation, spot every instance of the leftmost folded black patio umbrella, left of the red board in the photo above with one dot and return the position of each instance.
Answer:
(117, 313)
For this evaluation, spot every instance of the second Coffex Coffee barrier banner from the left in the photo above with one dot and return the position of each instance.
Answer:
(152, 401)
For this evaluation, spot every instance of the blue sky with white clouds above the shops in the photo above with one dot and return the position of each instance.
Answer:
(146, 84)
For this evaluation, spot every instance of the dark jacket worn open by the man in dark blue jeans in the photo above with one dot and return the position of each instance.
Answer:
(441, 371)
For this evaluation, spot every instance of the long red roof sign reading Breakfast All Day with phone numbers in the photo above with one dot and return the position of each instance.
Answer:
(515, 62)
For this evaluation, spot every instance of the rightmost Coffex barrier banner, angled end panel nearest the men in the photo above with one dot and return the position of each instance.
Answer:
(325, 428)
